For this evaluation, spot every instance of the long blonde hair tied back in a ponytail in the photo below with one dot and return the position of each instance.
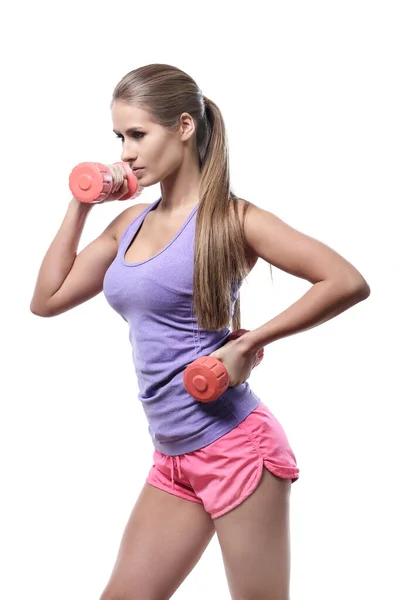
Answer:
(220, 257)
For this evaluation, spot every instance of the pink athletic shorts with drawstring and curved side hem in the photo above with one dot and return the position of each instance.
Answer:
(223, 474)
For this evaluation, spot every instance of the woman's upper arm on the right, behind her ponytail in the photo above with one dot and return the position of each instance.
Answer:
(294, 252)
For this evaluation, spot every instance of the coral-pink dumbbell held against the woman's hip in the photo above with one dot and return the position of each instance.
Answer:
(206, 378)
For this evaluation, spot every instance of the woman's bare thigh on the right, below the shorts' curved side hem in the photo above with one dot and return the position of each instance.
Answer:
(255, 544)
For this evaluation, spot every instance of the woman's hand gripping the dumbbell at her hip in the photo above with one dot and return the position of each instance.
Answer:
(237, 359)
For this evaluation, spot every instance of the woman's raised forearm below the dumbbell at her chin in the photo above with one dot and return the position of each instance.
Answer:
(60, 256)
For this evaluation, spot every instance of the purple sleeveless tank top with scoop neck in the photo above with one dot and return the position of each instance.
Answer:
(155, 297)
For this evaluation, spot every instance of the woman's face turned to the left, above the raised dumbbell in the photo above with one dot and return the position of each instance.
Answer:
(146, 144)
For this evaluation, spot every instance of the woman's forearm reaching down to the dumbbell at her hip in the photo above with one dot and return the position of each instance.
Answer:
(325, 300)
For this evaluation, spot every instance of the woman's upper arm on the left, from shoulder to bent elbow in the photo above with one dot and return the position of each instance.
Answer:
(85, 279)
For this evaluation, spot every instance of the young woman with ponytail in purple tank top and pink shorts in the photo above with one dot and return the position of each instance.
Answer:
(172, 269)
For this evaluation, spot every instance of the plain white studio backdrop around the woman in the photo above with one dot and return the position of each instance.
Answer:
(310, 96)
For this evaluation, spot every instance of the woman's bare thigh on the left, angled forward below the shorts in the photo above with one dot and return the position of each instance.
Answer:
(163, 540)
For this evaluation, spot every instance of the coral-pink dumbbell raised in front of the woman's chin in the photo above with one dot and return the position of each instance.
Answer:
(93, 182)
